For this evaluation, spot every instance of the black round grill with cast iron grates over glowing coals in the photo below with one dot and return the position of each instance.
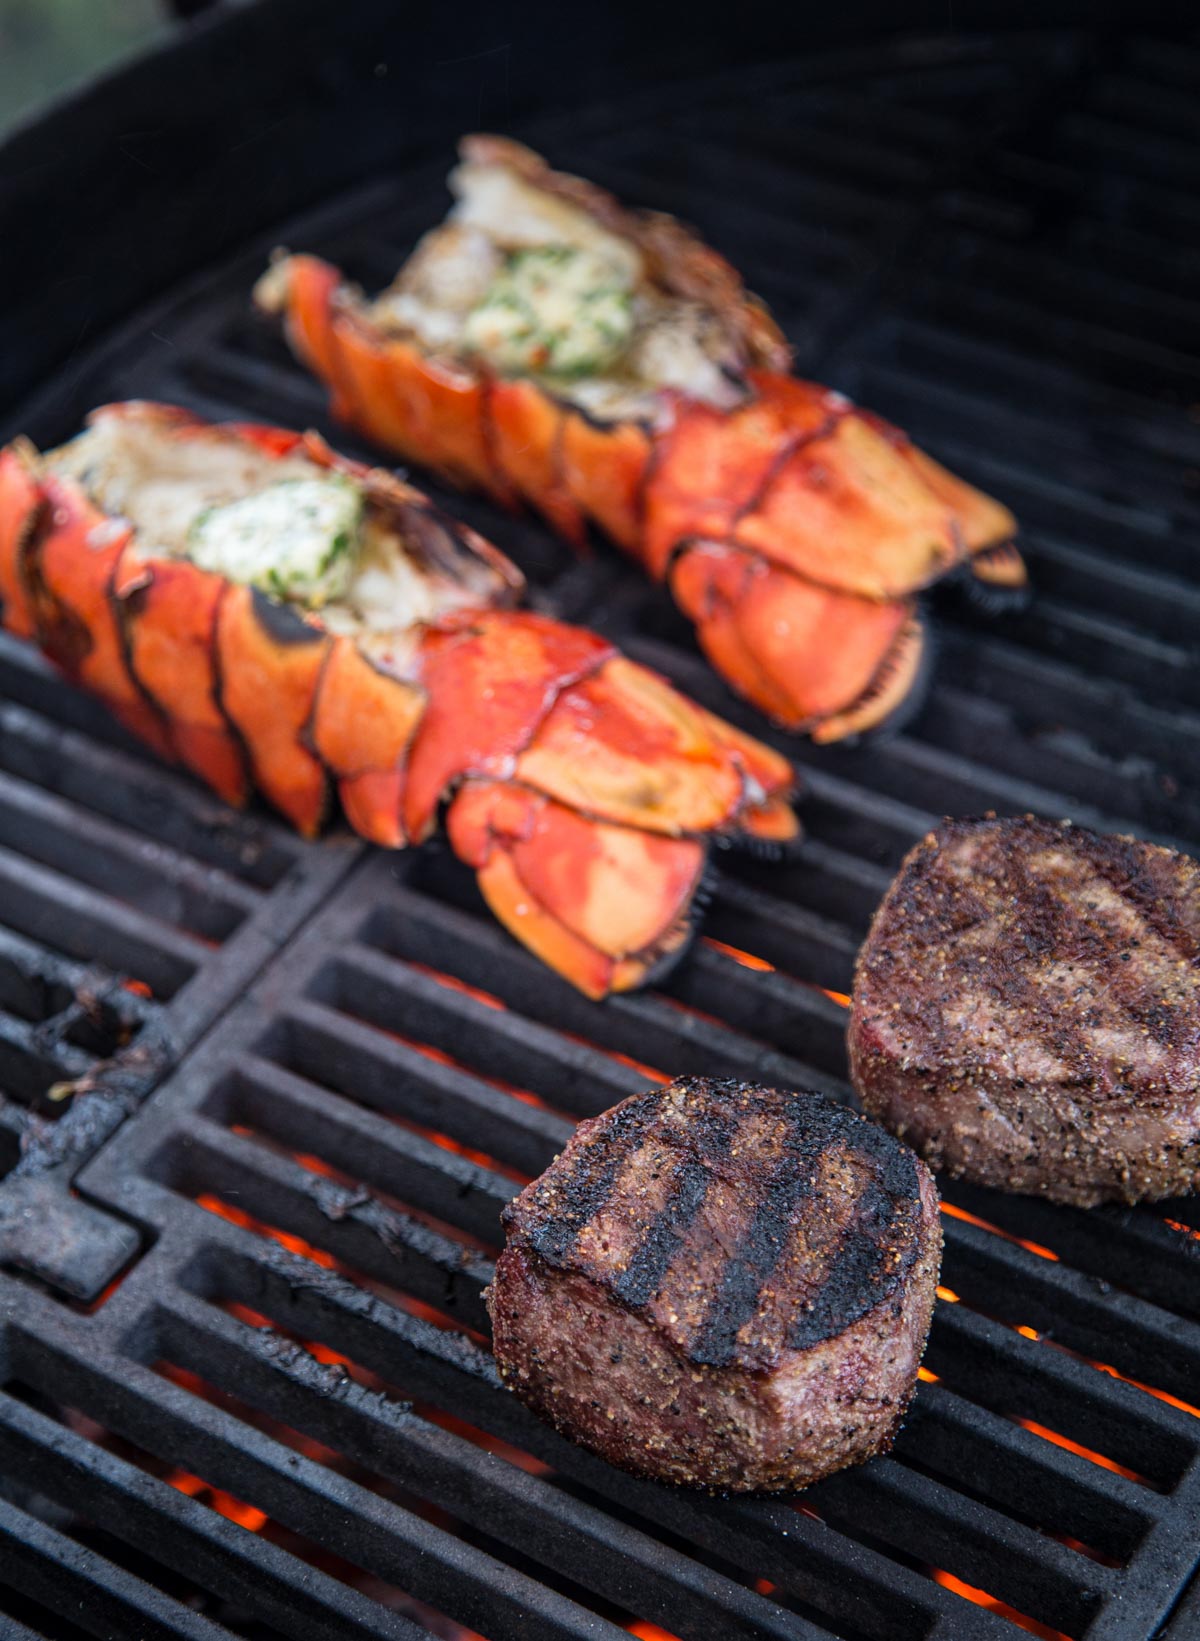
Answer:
(244, 1373)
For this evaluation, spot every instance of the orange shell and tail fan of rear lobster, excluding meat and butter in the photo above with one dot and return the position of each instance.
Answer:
(794, 529)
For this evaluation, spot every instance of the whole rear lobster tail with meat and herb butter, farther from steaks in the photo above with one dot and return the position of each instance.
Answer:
(607, 368)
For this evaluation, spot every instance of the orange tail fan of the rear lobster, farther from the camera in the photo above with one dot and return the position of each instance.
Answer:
(795, 533)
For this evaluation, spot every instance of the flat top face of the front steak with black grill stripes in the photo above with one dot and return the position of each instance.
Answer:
(697, 1253)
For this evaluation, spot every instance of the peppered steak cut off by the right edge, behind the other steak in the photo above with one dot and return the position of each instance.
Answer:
(1027, 1012)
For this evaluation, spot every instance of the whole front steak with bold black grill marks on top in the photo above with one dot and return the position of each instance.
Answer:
(721, 1286)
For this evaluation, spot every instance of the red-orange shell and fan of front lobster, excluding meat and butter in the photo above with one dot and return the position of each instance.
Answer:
(582, 789)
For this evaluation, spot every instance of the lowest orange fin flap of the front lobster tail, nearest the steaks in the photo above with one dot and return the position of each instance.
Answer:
(602, 903)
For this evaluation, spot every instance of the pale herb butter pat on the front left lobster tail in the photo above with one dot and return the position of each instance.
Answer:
(296, 541)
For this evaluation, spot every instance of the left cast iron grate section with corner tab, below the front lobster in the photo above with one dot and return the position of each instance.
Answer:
(132, 910)
